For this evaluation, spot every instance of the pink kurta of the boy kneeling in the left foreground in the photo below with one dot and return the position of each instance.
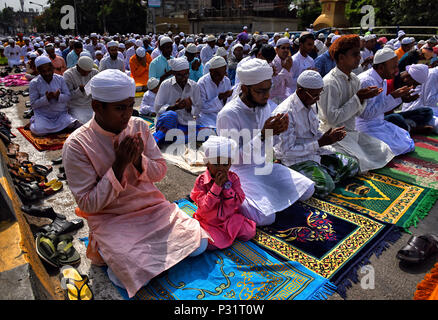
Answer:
(136, 229)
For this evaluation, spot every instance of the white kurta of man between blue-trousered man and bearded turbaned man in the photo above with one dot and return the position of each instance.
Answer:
(211, 105)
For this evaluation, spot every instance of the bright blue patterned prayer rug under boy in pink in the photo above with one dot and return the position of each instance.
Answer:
(242, 272)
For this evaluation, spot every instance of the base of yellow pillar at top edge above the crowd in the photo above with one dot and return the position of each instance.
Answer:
(332, 15)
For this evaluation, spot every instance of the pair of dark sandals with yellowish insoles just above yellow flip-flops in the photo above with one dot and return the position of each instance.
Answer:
(57, 250)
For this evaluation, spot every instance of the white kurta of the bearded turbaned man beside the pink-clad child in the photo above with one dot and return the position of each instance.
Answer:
(267, 193)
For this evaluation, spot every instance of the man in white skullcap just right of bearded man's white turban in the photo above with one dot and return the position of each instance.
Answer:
(282, 81)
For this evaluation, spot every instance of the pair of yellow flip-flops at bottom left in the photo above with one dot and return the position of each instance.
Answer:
(76, 284)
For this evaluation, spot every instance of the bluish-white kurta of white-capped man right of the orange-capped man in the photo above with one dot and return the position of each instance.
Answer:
(372, 120)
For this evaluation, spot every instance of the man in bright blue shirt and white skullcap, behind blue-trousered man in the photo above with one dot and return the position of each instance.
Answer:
(159, 67)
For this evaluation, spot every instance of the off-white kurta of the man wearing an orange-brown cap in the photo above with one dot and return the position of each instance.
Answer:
(339, 106)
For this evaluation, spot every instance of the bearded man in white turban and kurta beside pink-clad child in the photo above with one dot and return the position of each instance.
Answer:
(269, 187)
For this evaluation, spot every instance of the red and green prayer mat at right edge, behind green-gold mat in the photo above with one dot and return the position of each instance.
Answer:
(419, 167)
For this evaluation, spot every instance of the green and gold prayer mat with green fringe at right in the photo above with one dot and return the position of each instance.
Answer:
(385, 198)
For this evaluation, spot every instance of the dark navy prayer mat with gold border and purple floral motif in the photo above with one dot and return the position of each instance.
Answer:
(327, 239)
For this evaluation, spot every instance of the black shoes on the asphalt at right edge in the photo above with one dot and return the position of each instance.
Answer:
(419, 248)
